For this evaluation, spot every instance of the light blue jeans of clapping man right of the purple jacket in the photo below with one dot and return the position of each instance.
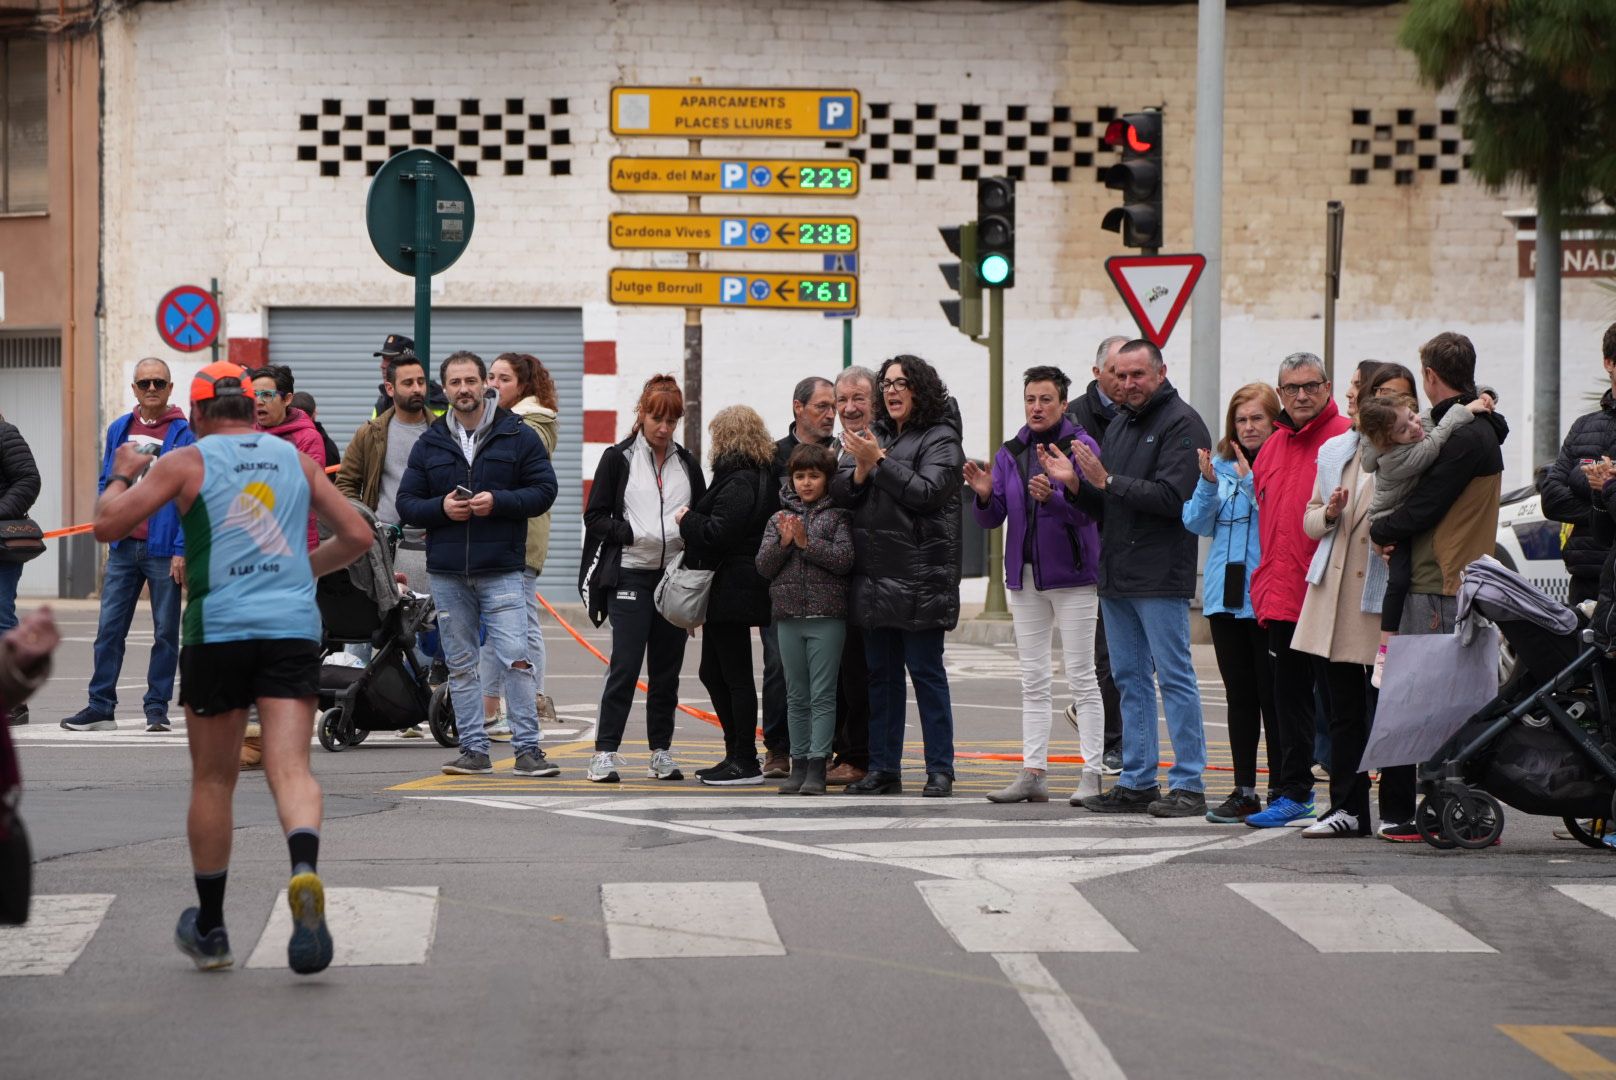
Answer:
(1137, 631)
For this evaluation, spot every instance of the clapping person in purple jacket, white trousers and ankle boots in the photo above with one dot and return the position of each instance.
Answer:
(1053, 554)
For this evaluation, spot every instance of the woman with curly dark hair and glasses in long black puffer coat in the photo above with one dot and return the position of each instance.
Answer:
(903, 483)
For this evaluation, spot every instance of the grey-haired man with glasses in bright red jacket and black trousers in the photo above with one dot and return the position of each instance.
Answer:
(1284, 481)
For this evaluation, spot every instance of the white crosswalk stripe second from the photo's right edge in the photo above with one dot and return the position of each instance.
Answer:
(1355, 918)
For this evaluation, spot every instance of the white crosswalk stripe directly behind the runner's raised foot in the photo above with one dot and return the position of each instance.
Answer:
(369, 927)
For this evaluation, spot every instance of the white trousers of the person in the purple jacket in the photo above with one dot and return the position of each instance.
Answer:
(1037, 614)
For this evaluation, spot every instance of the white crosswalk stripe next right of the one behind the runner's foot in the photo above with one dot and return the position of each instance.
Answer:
(688, 919)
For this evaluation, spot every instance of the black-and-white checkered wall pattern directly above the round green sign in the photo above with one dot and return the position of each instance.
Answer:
(508, 137)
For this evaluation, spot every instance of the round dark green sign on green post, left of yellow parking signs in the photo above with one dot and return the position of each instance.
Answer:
(419, 214)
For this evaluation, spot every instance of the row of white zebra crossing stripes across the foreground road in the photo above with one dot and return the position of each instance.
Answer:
(671, 921)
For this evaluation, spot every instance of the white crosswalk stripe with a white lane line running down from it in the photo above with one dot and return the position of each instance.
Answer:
(987, 918)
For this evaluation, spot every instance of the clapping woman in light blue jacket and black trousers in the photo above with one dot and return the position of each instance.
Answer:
(1223, 507)
